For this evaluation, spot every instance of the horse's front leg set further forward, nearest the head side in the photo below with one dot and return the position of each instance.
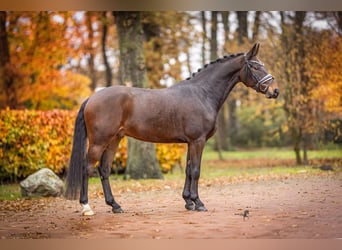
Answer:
(195, 150)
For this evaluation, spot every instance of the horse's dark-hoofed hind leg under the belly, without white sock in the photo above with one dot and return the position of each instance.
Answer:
(104, 170)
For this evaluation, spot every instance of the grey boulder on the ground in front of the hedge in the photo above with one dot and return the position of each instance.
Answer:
(42, 183)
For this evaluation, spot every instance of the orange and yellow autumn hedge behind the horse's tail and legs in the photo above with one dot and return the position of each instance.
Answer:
(31, 140)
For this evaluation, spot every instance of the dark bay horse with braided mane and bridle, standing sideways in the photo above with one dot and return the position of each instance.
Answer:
(183, 113)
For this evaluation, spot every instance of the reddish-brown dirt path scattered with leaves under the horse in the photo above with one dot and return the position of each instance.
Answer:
(296, 207)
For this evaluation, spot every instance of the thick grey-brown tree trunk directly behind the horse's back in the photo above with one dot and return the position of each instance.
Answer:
(142, 162)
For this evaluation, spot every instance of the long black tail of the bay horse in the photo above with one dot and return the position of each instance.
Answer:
(78, 160)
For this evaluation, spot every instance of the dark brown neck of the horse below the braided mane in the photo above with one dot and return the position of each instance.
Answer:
(221, 81)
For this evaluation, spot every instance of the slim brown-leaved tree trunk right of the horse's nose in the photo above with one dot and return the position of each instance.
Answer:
(295, 106)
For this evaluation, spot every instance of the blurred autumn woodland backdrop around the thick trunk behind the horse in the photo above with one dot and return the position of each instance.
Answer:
(56, 59)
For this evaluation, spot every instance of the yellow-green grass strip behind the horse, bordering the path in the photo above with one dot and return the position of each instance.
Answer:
(248, 165)
